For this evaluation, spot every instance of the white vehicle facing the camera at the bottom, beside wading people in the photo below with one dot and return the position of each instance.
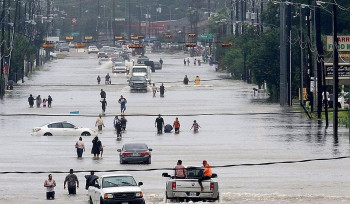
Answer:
(116, 188)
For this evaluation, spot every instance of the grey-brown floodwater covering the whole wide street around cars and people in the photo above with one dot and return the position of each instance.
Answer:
(236, 128)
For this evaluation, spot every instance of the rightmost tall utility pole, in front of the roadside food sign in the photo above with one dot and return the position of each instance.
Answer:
(335, 70)
